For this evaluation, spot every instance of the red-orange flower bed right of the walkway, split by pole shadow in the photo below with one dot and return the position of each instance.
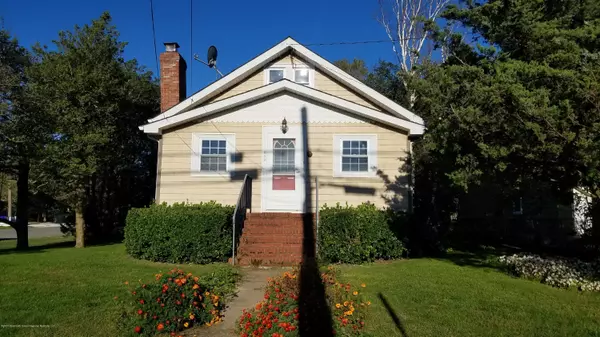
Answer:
(278, 314)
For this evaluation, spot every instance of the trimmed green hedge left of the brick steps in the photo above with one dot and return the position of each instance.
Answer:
(197, 233)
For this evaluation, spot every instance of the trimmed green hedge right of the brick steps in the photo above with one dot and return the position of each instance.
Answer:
(358, 234)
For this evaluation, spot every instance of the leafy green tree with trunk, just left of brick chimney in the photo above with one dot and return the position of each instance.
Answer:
(96, 100)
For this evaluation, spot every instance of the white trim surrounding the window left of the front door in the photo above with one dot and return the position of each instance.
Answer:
(196, 153)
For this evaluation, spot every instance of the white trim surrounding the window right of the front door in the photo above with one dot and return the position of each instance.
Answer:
(372, 151)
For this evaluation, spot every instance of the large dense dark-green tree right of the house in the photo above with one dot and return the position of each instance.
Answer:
(522, 106)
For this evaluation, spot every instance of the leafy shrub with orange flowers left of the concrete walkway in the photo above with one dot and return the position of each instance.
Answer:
(176, 301)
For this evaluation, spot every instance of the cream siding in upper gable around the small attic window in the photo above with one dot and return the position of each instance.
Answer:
(323, 83)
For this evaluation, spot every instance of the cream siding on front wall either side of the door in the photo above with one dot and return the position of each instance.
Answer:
(177, 184)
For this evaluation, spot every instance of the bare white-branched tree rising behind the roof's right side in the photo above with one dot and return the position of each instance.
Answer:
(404, 23)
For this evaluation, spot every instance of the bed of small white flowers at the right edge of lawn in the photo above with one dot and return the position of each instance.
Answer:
(557, 272)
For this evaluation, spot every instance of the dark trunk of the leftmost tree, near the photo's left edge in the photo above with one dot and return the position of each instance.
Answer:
(22, 205)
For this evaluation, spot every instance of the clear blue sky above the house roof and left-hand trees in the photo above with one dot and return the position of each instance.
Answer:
(239, 29)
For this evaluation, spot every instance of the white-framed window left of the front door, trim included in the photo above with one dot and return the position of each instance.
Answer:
(212, 153)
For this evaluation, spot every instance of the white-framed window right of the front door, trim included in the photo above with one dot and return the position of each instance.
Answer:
(355, 155)
